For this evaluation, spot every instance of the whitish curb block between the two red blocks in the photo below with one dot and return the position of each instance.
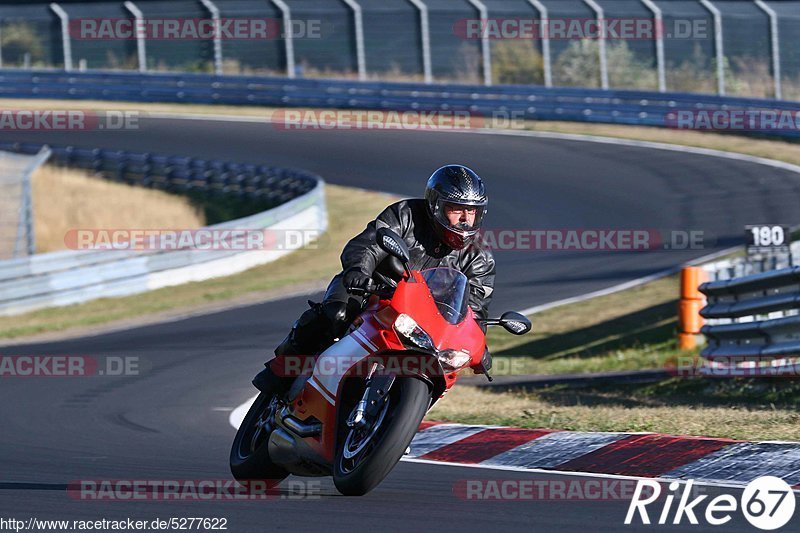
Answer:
(553, 449)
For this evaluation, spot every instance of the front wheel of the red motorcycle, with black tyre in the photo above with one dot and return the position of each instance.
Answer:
(366, 455)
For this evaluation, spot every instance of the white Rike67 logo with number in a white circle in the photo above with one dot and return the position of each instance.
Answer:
(767, 503)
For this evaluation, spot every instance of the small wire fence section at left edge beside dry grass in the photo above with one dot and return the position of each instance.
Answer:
(16, 207)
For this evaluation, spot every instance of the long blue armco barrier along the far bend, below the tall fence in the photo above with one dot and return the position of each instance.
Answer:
(643, 108)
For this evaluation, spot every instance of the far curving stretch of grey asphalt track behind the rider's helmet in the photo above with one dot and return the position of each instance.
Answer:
(533, 184)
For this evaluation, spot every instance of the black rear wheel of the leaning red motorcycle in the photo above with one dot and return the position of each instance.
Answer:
(249, 454)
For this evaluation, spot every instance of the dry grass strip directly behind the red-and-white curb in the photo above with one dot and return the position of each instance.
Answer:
(738, 409)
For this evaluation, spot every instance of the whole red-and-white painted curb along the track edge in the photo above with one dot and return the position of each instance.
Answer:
(641, 455)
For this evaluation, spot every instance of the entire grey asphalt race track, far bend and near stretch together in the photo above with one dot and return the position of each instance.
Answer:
(170, 422)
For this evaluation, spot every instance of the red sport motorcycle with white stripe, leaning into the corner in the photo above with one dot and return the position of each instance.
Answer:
(354, 408)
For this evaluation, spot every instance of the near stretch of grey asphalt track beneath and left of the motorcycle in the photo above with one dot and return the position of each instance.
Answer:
(171, 423)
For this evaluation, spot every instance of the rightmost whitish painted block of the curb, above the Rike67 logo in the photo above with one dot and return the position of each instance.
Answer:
(745, 461)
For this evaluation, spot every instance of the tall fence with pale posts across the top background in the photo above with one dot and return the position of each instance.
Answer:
(733, 47)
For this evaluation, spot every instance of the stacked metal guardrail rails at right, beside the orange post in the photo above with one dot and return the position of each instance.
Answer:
(754, 296)
